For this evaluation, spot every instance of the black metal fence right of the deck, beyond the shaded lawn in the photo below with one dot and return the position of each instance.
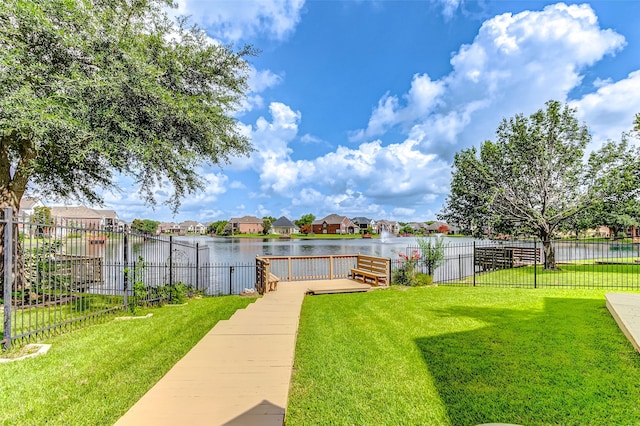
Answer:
(578, 264)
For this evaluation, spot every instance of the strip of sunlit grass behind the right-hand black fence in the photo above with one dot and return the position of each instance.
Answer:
(583, 275)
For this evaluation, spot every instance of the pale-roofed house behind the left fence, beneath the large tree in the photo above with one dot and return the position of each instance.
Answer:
(85, 217)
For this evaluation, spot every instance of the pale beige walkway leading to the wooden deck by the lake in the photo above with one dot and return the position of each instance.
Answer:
(239, 373)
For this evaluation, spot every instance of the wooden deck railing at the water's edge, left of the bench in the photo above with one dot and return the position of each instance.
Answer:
(303, 268)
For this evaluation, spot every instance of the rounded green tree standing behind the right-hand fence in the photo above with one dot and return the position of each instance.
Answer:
(533, 177)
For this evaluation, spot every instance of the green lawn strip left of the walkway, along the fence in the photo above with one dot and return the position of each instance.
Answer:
(93, 375)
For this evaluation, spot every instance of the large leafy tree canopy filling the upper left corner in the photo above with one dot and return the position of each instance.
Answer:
(94, 88)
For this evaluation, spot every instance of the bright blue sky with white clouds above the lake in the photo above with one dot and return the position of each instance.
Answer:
(357, 107)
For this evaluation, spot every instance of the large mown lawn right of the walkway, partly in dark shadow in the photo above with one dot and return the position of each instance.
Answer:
(463, 356)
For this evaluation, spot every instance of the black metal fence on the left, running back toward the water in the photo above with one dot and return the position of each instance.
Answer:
(57, 276)
